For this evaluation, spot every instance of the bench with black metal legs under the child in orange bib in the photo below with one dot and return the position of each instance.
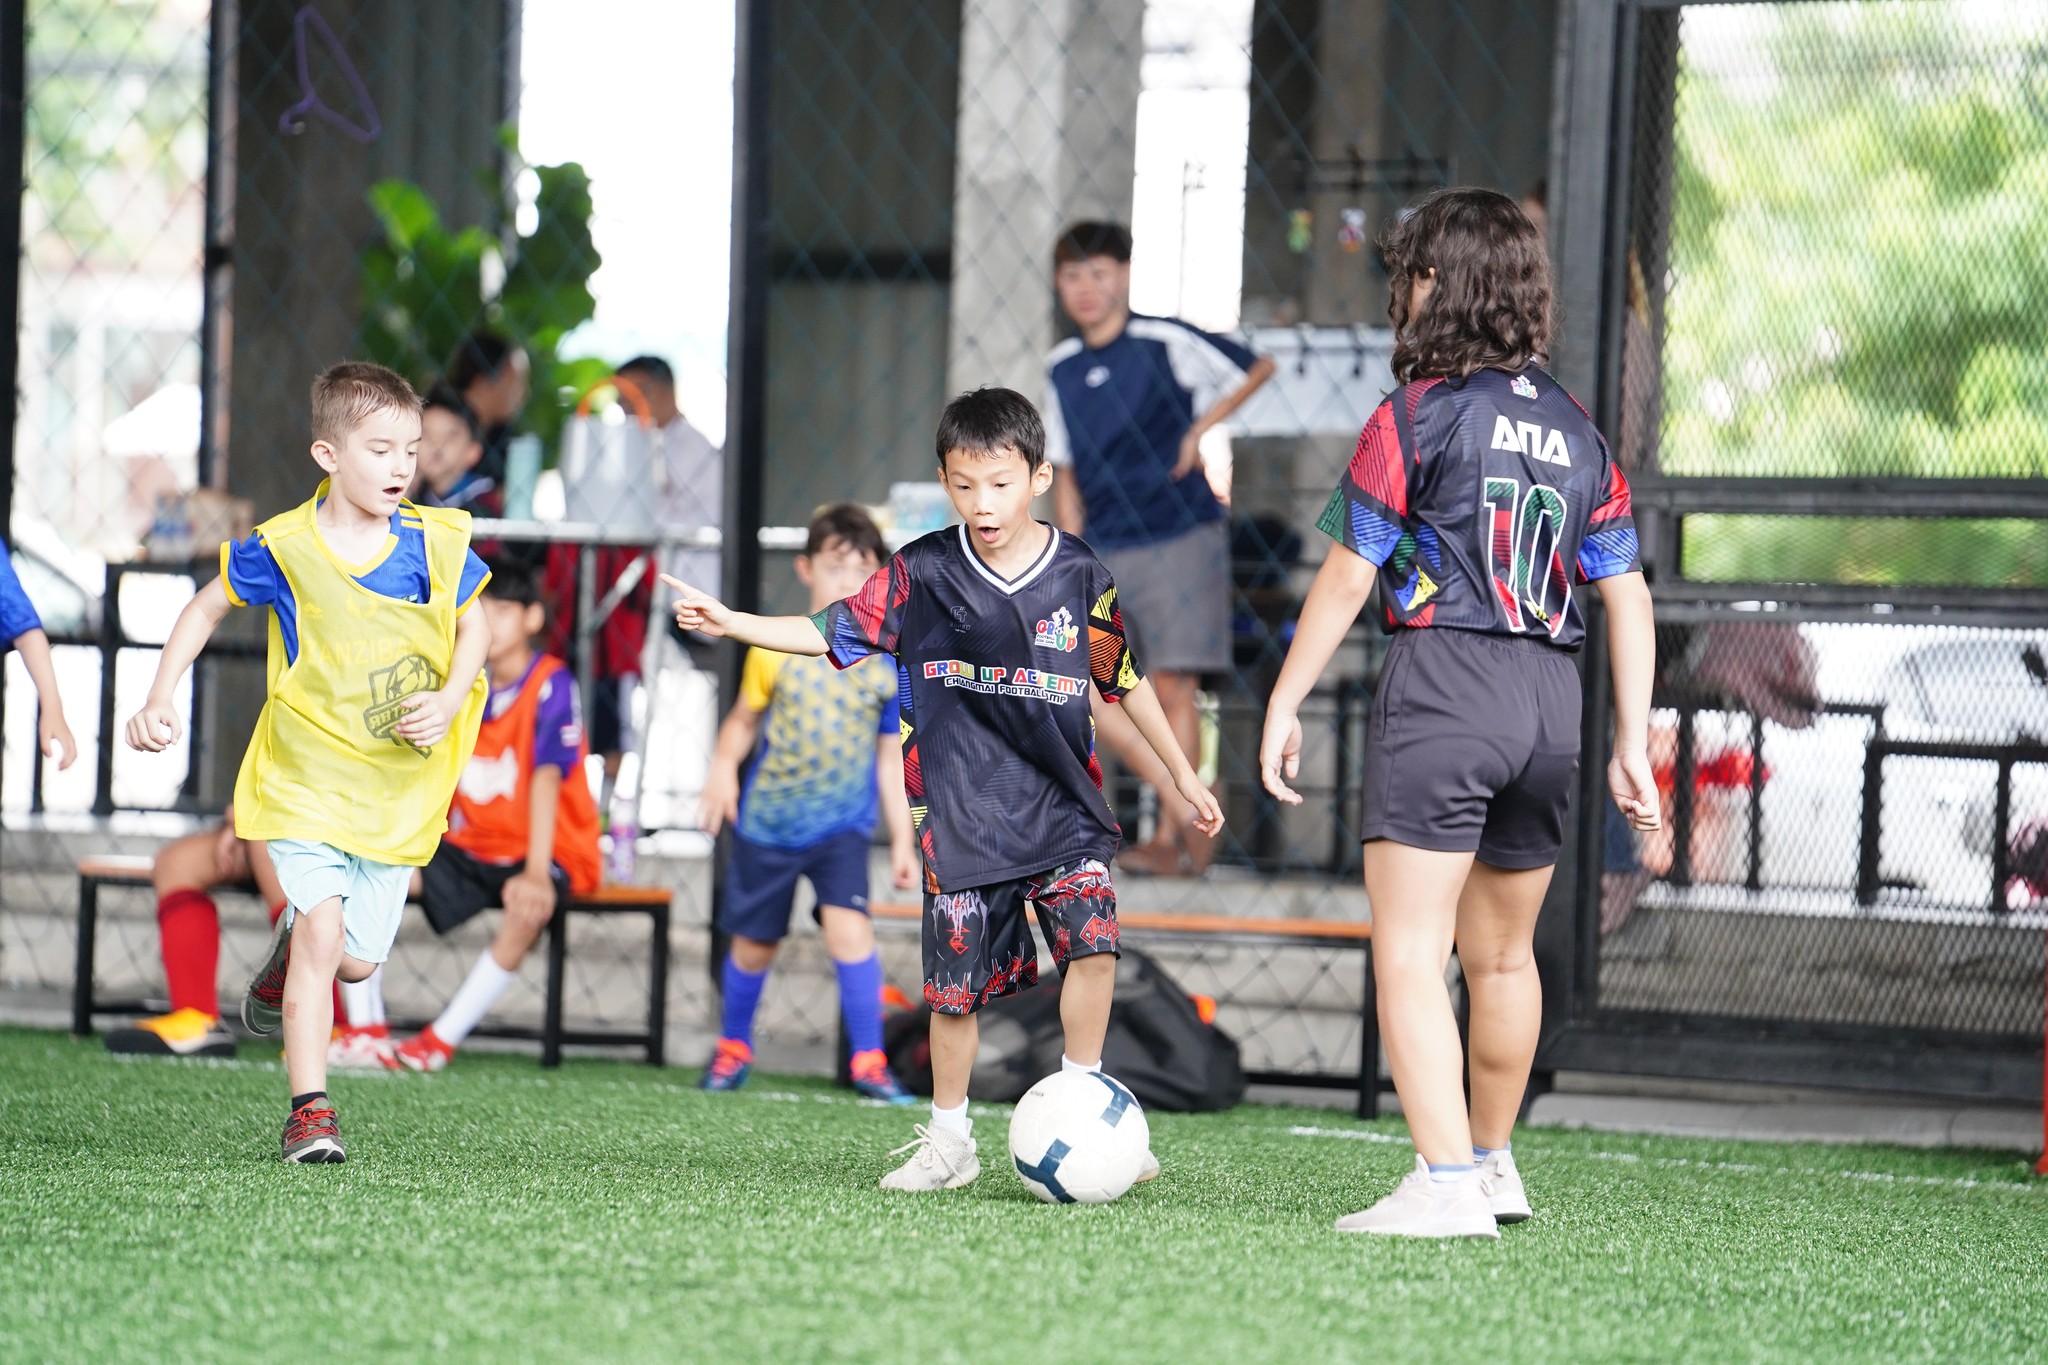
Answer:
(650, 901)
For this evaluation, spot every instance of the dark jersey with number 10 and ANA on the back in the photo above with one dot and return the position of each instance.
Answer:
(1484, 502)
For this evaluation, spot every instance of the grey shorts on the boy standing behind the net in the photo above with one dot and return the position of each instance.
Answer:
(1177, 599)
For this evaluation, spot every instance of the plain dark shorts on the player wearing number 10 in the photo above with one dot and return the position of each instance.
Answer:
(1474, 746)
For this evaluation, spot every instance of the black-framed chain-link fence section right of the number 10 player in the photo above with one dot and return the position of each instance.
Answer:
(1826, 384)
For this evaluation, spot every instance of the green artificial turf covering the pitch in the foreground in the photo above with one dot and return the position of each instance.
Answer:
(613, 1213)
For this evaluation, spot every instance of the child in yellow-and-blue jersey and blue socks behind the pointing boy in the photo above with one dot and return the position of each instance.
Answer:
(808, 809)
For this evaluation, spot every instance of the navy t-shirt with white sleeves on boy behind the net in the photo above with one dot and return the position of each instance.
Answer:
(1115, 419)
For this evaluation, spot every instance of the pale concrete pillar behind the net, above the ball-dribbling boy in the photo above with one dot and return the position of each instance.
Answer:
(1048, 134)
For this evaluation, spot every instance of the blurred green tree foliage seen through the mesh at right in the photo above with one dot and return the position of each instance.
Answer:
(1859, 267)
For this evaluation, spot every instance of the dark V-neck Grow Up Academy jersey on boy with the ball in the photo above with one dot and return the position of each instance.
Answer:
(998, 738)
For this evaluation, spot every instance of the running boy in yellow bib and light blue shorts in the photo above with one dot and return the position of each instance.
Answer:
(376, 697)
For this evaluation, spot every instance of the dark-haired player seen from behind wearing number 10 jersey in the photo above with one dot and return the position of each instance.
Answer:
(1478, 498)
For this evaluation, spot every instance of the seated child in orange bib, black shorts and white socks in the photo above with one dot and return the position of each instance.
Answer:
(523, 830)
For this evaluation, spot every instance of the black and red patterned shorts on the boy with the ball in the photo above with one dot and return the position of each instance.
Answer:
(978, 946)
